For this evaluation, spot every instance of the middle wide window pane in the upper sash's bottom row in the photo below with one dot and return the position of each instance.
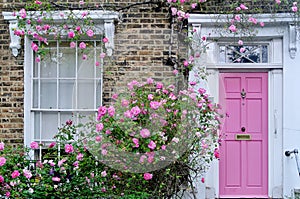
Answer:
(67, 94)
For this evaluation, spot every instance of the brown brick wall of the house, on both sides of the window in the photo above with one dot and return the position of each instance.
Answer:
(142, 40)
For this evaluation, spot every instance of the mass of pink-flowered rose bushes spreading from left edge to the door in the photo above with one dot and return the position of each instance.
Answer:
(148, 143)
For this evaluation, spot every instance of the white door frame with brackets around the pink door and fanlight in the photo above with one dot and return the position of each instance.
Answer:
(279, 34)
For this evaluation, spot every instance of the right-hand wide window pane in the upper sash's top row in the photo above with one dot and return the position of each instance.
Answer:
(86, 67)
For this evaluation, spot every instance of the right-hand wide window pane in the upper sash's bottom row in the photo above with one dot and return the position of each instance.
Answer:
(86, 94)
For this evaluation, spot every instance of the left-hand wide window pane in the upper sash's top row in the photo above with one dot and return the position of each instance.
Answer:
(48, 66)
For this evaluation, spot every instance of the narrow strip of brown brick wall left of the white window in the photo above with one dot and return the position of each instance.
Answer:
(11, 89)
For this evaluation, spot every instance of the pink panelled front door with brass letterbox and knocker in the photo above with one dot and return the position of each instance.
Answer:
(244, 149)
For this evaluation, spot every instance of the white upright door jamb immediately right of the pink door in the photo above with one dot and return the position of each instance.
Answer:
(275, 133)
